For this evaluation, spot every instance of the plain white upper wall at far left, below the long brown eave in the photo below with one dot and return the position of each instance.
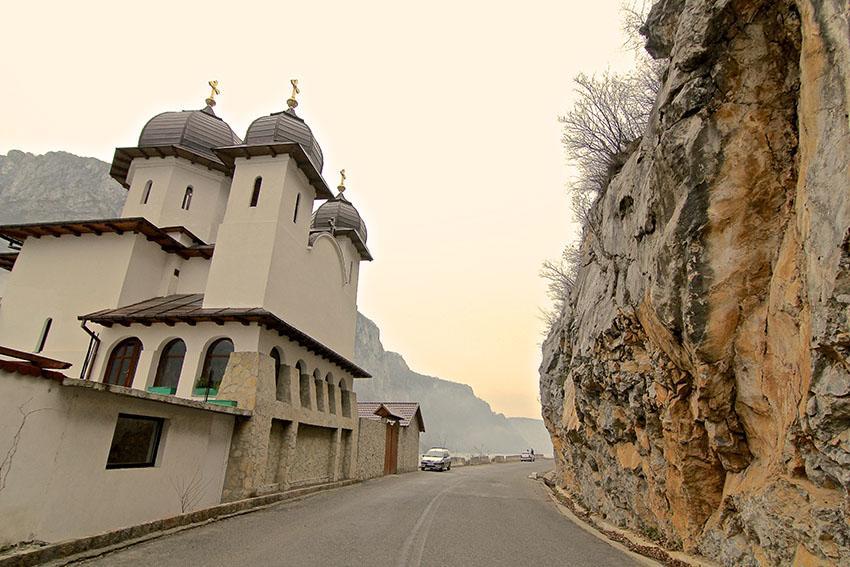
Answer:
(65, 277)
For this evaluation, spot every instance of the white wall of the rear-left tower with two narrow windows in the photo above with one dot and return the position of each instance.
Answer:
(171, 176)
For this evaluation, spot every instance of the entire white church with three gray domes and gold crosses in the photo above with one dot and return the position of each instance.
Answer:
(194, 350)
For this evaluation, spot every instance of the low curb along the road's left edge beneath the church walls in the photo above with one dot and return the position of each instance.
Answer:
(86, 547)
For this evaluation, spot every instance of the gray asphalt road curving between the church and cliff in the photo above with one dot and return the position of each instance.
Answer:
(485, 515)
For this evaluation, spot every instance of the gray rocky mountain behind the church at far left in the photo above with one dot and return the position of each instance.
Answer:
(56, 186)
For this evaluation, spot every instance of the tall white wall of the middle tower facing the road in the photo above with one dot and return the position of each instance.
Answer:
(262, 258)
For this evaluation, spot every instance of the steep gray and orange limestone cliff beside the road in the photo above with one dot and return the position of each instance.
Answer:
(697, 385)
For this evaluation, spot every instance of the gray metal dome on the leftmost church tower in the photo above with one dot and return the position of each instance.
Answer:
(196, 130)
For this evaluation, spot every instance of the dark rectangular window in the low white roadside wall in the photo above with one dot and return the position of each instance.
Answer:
(135, 443)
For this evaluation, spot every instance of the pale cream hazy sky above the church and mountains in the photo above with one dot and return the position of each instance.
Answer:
(444, 115)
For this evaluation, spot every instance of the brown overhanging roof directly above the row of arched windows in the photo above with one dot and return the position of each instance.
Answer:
(189, 308)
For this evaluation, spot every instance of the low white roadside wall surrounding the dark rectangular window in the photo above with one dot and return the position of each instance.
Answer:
(58, 486)
